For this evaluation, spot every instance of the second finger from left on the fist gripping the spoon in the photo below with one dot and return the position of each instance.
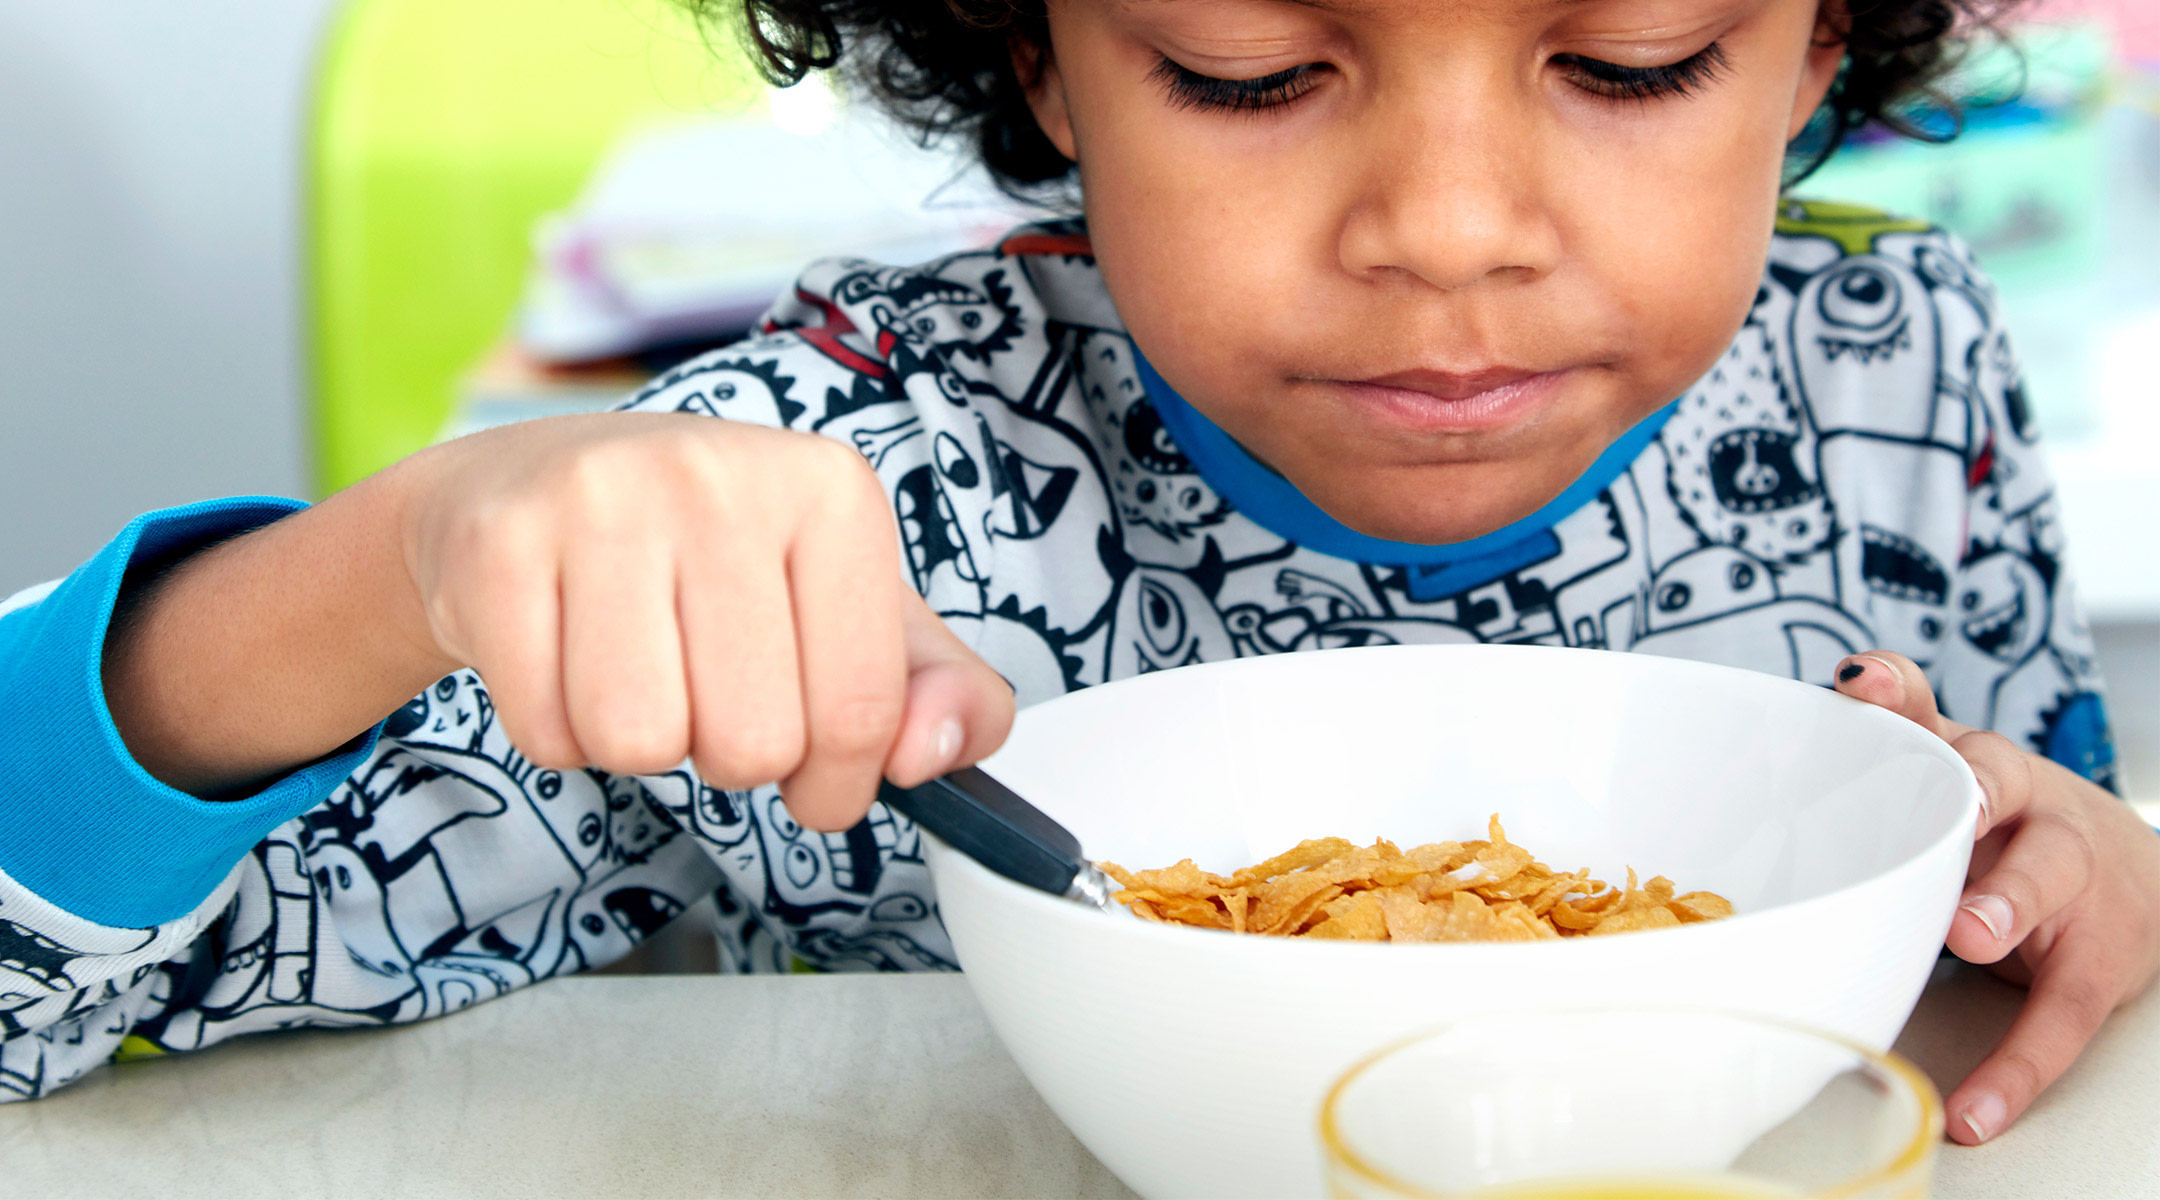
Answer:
(623, 653)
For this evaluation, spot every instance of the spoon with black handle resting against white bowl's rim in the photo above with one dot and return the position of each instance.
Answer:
(993, 826)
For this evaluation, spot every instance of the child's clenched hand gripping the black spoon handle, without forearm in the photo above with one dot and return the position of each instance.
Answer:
(647, 588)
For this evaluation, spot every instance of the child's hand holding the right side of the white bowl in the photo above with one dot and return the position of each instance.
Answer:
(2064, 897)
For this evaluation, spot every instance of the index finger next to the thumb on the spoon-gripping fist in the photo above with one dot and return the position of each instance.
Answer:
(846, 588)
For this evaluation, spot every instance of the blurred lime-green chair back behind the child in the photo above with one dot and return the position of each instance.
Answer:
(444, 131)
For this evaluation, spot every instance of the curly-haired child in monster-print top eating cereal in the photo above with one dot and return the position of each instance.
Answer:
(1388, 323)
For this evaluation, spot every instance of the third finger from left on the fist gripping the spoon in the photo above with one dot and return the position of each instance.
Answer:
(744, 670)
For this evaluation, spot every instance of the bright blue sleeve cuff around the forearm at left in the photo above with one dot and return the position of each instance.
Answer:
(81, 821)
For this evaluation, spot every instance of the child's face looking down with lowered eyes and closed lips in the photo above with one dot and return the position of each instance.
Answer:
(1433, 256)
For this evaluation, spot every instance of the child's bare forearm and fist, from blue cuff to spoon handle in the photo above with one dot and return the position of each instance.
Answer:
(636, 590)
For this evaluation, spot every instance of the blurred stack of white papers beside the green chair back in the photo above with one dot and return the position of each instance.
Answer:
(690, 232)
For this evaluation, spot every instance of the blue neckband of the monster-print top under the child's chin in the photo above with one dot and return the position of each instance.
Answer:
(1278, 506)
